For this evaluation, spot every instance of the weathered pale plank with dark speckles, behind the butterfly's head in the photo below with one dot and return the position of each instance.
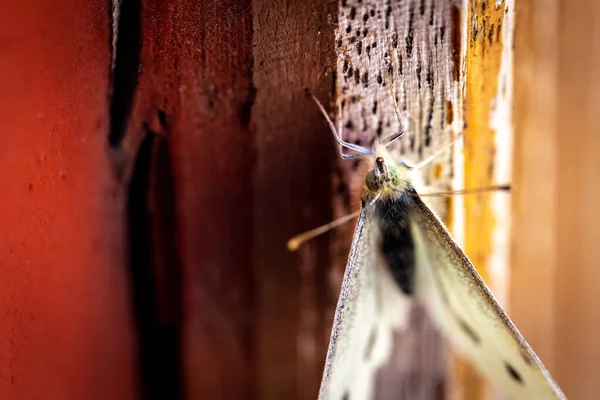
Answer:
(413, 46)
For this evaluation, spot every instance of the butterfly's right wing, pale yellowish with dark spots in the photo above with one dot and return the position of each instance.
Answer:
(466, 311)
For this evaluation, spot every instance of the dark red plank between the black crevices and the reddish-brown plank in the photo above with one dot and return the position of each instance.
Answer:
(193, 102)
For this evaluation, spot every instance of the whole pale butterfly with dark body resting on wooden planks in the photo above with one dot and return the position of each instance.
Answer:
(401, 252)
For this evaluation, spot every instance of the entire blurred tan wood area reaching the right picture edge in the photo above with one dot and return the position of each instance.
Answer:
(556, 243)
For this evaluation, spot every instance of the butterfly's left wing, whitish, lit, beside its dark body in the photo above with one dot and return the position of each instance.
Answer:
(369, 308)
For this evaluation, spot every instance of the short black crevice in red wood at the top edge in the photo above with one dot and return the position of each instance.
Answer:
(126, 67)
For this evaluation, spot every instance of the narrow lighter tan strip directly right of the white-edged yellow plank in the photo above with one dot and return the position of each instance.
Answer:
(534, 267)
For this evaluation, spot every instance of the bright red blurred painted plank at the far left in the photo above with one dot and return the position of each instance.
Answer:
(65, 330)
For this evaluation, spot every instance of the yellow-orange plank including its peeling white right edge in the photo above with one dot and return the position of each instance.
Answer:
(487, 152)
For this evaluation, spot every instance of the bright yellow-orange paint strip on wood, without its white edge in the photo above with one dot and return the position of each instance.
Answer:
(483, 58)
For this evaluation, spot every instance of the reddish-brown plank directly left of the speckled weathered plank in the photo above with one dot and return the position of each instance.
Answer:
(293, 50)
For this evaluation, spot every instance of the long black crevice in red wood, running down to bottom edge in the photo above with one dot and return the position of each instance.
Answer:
(154, 271)
